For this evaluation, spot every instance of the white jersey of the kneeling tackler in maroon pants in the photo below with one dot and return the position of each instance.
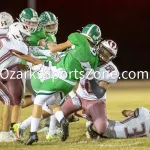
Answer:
(107, 72)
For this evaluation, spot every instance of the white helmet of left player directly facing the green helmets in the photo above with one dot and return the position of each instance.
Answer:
(18, 31)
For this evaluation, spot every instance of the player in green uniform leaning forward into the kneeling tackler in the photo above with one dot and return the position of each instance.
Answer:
(81, 58)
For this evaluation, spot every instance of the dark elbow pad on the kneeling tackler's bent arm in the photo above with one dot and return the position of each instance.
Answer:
(98, 91)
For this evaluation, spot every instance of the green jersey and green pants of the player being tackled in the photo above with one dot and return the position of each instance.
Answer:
(80, 59)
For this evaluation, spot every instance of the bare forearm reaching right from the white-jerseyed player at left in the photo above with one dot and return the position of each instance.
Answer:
(28, 58)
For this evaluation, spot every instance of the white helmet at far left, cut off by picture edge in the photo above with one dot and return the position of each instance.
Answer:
(5, 20)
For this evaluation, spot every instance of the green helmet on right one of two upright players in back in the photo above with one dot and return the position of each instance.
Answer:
(49, 21)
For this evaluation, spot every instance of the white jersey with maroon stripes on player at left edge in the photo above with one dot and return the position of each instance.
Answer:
(6, 58)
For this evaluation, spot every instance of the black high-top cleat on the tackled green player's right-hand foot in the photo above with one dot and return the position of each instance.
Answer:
(64, 124)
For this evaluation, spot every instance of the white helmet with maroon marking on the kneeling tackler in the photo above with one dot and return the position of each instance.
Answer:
(107, 50)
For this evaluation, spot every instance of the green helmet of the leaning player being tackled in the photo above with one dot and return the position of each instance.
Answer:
(93, 33)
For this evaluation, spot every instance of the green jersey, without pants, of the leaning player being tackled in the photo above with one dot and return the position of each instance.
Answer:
(80, 58)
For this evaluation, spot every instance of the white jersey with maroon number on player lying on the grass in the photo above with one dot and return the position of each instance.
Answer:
(131, 127)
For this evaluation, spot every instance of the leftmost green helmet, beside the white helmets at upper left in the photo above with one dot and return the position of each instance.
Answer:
(29, 17)
